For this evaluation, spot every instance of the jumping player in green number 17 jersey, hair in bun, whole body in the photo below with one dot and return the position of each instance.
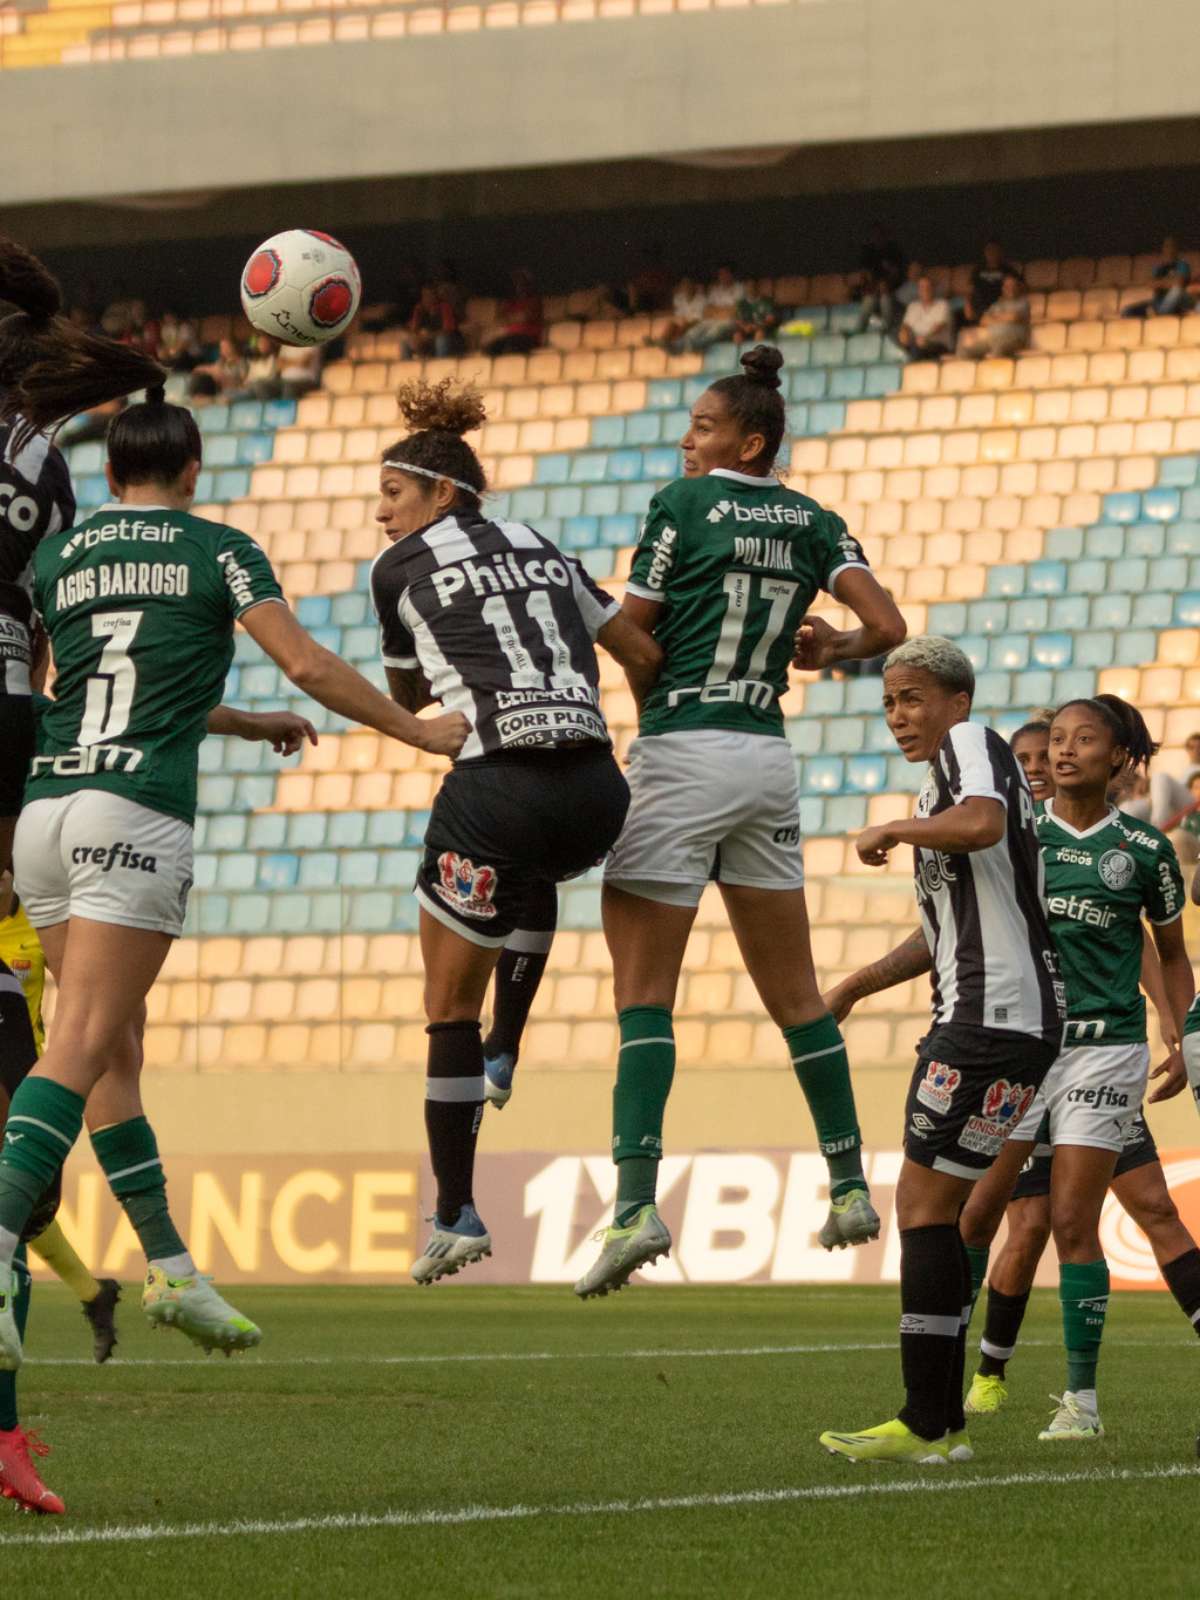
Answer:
(729, 564)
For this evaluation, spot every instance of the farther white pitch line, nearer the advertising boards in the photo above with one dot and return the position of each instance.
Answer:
(478, 1358)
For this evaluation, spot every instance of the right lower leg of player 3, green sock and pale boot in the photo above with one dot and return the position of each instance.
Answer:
(177, 1295)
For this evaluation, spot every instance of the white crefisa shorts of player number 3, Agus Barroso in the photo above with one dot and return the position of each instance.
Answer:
(102, 857)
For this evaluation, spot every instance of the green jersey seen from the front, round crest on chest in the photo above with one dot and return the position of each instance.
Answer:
(1100, 884)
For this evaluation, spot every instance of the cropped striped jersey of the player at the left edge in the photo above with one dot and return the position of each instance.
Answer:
(36, 498)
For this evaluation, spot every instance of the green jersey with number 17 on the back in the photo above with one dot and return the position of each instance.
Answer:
(737, 564)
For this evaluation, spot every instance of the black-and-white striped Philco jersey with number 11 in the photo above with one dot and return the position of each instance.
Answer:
(503, 626)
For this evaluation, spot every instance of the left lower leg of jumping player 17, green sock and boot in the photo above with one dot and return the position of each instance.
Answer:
(644, 1078)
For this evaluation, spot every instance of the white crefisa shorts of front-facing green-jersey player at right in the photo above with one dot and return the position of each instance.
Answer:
(1092, 1094)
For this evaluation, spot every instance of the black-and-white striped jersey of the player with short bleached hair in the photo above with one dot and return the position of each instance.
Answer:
(985, 916)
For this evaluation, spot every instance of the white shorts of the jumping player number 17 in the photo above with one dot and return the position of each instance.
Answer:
(710, 806)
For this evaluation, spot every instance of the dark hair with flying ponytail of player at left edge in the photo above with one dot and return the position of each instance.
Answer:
(49, 369)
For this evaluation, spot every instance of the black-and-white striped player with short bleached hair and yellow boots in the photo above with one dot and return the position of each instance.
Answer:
(998, 1022)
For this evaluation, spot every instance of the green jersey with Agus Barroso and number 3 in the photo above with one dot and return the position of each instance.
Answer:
(140, 606)
